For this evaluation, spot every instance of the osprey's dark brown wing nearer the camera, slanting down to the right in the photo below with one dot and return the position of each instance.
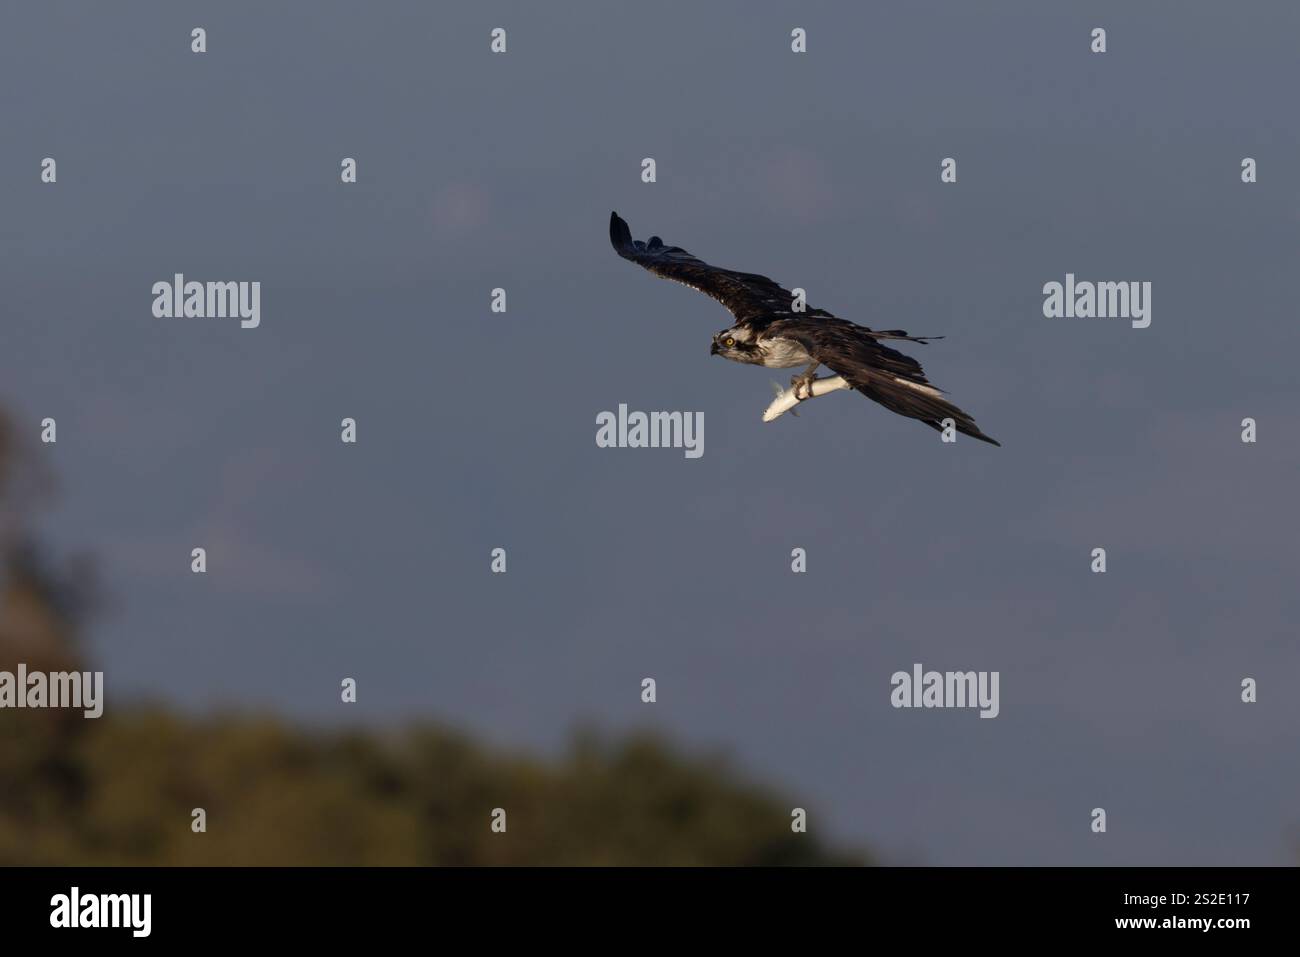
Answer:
(881, 374)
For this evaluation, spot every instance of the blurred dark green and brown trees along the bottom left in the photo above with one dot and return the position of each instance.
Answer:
(123, 789)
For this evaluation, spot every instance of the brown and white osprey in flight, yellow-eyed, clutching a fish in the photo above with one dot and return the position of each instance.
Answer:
(770, 332)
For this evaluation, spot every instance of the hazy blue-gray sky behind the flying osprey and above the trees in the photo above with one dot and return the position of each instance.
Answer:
(478, 431)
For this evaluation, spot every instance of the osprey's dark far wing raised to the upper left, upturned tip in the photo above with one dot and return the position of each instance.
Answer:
(749, 297)
